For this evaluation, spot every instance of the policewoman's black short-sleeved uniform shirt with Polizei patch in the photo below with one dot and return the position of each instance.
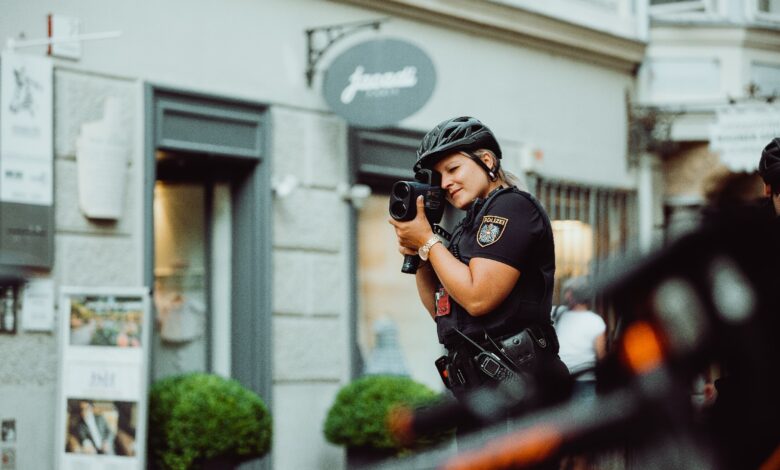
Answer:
(510, 227)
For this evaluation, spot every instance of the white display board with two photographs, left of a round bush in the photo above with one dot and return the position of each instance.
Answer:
(104, 348)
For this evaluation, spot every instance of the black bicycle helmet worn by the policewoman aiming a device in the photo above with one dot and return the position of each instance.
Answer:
(457, 134)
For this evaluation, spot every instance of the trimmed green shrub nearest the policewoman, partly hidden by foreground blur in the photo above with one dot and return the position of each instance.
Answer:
(358, 416)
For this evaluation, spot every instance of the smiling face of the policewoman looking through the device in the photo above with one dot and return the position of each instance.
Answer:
(463, 179)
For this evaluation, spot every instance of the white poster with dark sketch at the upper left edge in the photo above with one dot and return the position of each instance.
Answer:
(26, 129)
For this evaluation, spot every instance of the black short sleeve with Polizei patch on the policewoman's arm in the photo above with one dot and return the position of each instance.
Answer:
(509, 230)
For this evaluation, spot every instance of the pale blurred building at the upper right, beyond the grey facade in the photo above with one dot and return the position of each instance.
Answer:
(708, 63)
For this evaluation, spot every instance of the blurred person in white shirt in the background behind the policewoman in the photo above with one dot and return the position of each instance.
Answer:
(582, 335)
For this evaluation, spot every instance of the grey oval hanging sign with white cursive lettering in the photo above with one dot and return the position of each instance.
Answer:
(380, 82)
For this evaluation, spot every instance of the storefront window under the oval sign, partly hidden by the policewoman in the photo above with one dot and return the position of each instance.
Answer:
(390, 320)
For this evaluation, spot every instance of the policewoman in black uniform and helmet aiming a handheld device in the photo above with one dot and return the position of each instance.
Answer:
(491, 290)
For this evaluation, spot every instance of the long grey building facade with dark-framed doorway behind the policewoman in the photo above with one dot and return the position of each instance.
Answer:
(239, 212)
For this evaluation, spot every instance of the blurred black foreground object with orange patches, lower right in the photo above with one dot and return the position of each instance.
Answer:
(711, 296)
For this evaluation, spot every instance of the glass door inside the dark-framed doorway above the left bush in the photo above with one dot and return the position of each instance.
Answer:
(192, 266)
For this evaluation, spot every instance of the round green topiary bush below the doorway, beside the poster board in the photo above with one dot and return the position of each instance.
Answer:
(196, 418)
